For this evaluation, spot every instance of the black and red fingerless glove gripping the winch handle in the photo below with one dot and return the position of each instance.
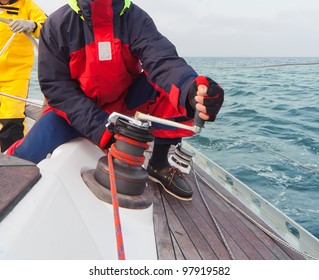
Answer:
(214, 99)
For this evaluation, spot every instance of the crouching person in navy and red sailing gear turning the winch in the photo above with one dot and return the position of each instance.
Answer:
(104, 56)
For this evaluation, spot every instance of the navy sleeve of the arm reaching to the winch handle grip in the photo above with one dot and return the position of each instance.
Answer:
(167, 71)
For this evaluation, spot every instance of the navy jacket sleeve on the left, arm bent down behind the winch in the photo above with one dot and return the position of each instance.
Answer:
(62, 92)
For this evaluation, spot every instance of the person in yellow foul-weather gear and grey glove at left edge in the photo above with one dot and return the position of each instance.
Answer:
(16, 62)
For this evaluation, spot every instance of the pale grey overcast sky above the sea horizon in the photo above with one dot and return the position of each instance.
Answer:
(233, 27)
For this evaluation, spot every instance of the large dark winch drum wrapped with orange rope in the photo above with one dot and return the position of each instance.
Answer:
(128, 150)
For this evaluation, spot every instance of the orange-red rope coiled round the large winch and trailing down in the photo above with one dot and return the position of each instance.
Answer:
(123, 157)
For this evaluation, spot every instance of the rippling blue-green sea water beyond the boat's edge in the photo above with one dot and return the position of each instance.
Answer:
(267, 132)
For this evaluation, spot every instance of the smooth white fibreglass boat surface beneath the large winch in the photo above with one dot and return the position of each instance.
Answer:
(60, 218)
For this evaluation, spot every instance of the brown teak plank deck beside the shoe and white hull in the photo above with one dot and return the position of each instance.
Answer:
(186, 230)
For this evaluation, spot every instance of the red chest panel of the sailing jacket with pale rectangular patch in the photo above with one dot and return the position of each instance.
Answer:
(104, 68)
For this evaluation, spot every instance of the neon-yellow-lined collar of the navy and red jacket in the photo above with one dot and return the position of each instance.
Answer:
(84, 10)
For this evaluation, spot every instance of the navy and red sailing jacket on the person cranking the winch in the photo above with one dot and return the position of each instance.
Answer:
(91, 52)
